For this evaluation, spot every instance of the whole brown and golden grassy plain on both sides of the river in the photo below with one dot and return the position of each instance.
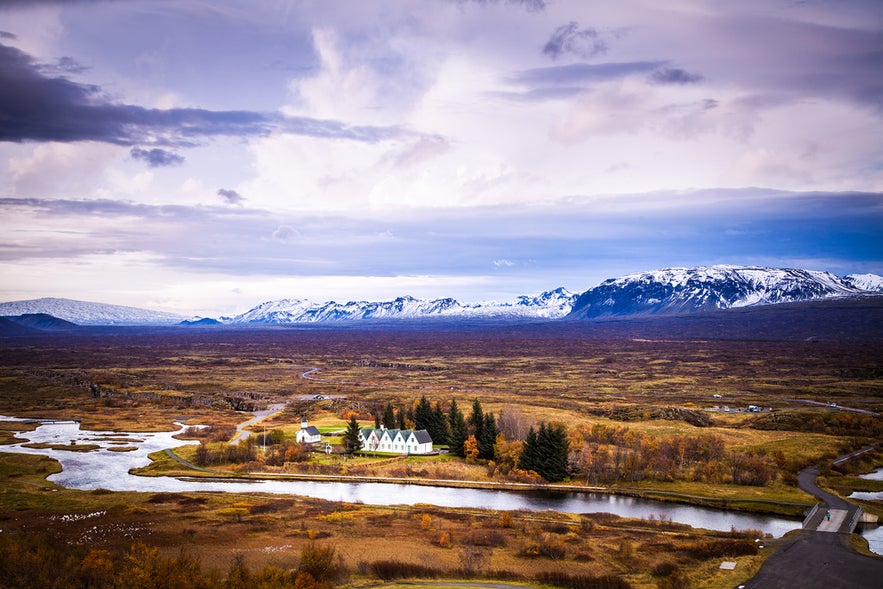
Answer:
(655, 390)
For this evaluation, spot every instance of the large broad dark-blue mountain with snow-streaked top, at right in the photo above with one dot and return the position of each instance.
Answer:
(707, 288)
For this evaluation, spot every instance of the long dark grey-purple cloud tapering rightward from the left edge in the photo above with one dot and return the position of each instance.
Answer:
(37, 107)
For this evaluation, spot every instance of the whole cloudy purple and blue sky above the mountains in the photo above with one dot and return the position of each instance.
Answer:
(203, 157)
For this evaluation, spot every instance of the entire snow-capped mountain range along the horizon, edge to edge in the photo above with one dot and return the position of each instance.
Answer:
(671, 291)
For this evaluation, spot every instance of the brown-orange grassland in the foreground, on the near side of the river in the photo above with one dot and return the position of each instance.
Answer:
(271, 531)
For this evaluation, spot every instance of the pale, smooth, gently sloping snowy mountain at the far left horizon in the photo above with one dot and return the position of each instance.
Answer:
(88, 313)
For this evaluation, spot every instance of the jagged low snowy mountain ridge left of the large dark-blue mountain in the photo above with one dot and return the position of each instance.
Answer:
(548, 305)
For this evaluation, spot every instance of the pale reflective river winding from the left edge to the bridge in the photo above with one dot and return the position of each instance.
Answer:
(107, 469)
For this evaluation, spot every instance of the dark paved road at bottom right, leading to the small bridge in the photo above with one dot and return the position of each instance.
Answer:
(819, 556)
